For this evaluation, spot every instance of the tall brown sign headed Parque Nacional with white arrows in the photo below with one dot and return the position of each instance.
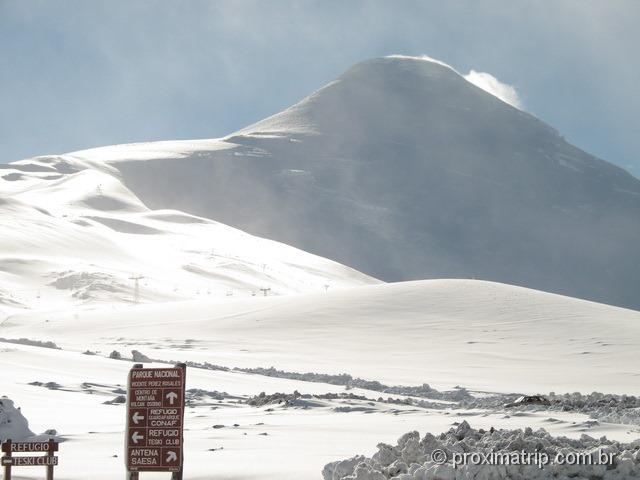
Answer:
(155, 419)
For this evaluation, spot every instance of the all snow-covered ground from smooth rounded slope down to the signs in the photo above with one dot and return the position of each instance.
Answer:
(493, 339)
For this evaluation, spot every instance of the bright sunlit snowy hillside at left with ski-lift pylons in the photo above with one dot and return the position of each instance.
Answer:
(73, 233)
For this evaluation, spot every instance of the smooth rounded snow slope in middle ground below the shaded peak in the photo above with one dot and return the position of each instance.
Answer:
(480, 335)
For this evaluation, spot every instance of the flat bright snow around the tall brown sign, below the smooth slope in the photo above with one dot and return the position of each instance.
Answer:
(300, 439)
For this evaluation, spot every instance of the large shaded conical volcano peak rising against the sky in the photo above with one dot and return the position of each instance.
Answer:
(404, 170)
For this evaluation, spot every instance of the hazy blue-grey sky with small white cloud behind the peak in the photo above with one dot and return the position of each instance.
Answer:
(76, 74)
